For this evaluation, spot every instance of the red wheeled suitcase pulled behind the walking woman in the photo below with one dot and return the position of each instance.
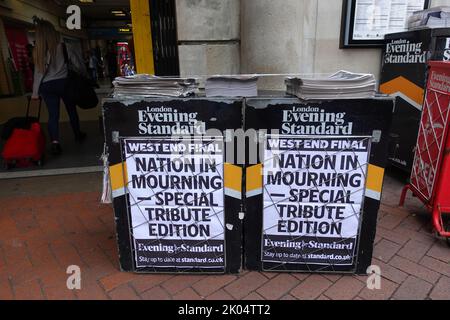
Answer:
(25, 147)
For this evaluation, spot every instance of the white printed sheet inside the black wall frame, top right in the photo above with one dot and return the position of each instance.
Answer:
(375, 18)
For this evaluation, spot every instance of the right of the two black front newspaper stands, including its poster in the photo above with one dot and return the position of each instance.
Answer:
(313, 195)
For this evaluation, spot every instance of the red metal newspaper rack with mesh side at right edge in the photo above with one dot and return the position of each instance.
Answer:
(431, 168)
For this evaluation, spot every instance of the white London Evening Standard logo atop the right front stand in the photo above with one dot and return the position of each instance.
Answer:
(315, 121)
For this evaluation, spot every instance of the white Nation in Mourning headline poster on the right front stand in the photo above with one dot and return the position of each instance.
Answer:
(313, 193)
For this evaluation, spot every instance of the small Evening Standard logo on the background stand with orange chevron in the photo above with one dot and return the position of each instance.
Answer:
(404, 51)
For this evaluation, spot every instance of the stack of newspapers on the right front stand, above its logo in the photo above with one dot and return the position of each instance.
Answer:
(340, 85)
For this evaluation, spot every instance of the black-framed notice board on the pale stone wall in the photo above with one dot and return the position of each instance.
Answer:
(365, 22)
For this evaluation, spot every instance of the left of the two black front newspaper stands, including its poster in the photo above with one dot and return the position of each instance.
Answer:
(176, 201)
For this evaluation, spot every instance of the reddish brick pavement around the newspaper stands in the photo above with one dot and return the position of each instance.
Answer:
(50, 223)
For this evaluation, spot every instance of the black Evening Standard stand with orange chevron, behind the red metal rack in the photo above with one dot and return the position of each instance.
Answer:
(404, 76)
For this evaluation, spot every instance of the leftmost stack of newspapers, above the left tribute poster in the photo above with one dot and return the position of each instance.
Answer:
(144, 85)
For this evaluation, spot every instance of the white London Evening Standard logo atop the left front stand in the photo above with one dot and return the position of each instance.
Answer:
(168, 121)
